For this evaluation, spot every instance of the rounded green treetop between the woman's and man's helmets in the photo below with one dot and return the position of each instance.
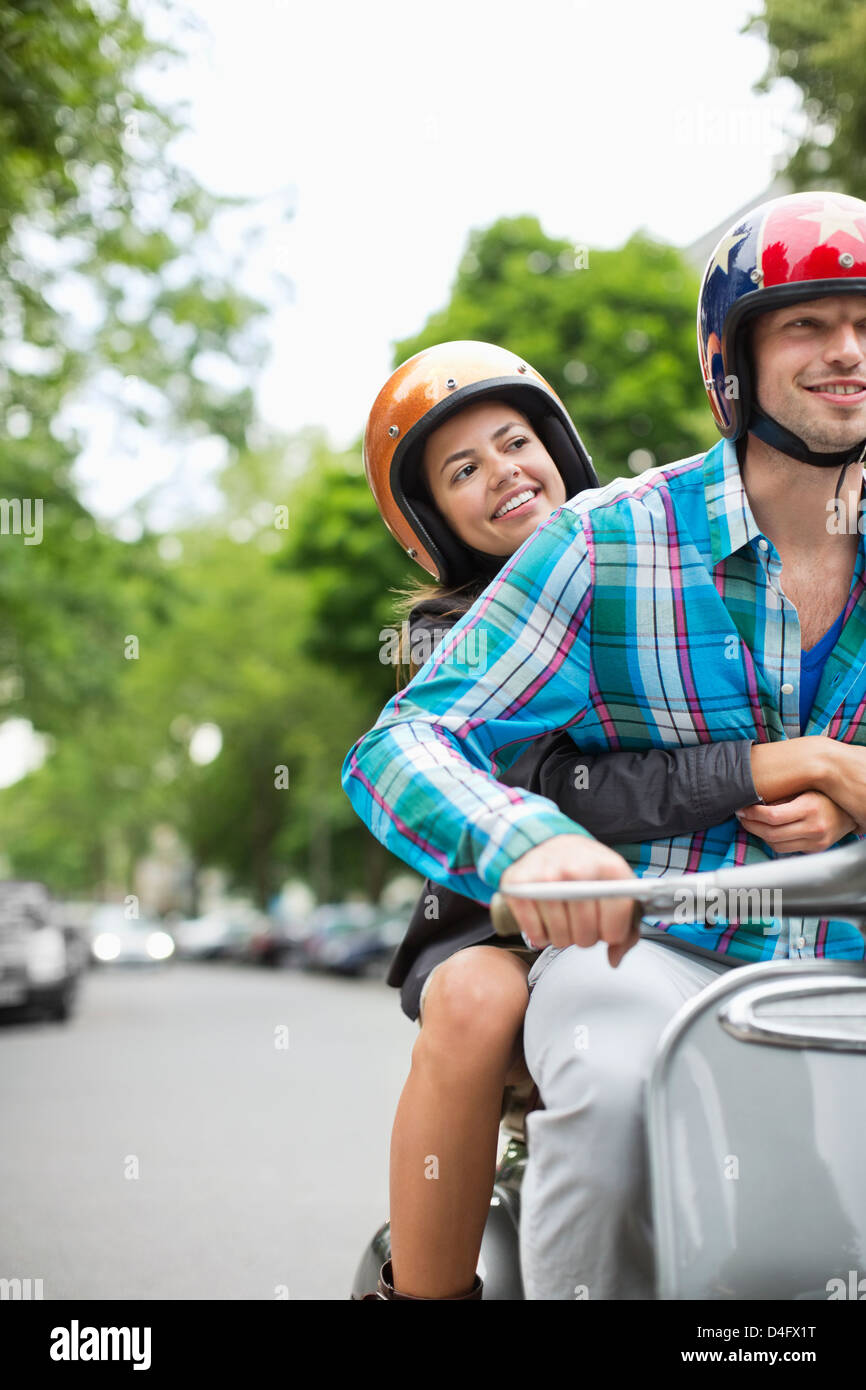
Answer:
(615, 336)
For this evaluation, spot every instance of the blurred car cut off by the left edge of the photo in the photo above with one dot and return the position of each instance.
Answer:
(41, 957)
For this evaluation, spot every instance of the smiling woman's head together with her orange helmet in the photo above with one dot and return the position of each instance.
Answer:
(458, 432)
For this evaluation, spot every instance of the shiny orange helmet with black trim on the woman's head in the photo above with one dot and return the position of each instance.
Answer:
(415, 401)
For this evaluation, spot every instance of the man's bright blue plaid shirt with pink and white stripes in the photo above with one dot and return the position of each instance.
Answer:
(647, 614)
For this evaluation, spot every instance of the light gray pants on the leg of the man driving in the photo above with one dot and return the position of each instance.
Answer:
(590, 1040)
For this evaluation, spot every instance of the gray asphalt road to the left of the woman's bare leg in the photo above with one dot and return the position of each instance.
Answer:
(261, 1167)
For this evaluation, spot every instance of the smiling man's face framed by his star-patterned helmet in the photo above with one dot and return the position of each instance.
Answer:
(811, 369)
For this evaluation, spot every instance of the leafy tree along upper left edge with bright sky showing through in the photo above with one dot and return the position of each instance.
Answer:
(111, 293)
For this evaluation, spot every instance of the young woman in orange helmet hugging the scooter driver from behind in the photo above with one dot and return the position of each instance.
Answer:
(468, 451)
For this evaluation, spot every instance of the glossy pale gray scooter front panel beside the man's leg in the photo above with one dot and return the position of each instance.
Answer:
(757, 1129)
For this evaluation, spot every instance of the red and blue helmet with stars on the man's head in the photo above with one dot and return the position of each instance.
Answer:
(790, 250)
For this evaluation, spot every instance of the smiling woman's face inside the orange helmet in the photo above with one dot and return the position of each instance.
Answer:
(482, 459)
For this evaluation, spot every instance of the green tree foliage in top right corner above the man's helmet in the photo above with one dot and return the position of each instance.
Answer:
(821, 45)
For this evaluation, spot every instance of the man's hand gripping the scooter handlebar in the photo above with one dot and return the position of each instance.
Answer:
(573, 924)
